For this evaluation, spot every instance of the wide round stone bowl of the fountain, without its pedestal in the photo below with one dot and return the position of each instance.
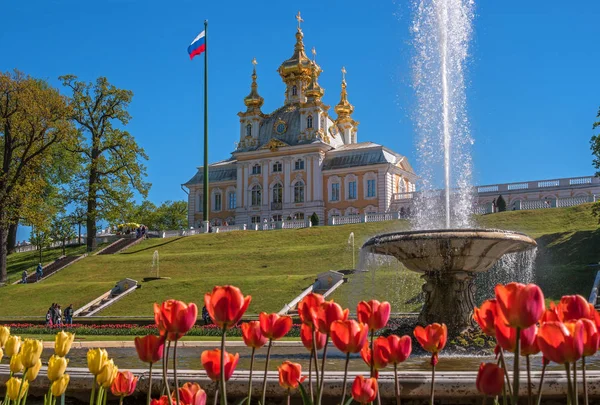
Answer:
(449, 250)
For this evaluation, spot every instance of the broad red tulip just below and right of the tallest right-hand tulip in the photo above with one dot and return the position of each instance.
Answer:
(561, 342)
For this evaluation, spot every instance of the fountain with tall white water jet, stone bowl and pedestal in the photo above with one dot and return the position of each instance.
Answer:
(445, 247)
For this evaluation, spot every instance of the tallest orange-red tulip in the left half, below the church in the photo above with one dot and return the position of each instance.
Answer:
(226, 305)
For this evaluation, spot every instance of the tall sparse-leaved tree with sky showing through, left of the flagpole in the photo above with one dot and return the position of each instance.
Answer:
(113, 161)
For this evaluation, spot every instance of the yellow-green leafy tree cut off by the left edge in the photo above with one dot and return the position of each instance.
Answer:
(33, 121)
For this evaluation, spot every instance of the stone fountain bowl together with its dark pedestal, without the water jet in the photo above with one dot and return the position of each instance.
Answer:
(449, 260)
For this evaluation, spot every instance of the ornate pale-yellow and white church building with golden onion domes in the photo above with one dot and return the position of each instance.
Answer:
(299, 160)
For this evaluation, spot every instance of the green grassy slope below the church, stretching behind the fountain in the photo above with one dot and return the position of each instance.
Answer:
(275, 266)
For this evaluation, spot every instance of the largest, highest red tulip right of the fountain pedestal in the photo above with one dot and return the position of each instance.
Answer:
(521, 305)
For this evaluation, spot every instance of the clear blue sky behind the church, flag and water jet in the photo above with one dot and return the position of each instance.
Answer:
(533, 88)
